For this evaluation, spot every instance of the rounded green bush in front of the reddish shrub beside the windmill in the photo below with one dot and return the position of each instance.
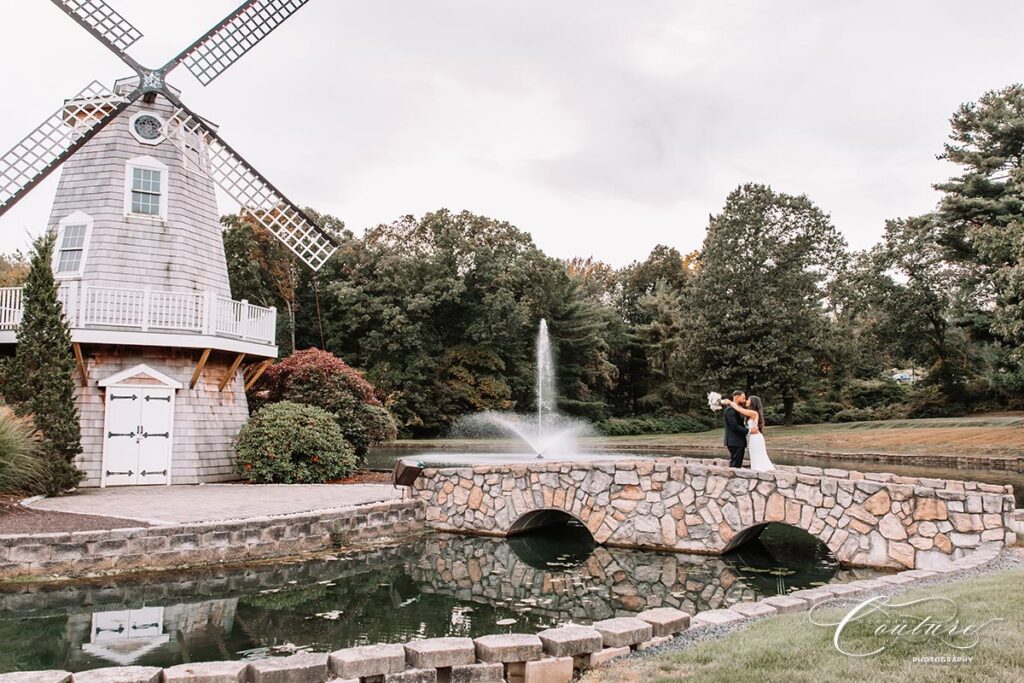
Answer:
(289, 443)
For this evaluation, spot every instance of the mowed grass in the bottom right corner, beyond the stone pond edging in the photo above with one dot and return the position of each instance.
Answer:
(791, 649)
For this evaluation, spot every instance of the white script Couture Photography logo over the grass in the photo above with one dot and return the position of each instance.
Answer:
(929, 630)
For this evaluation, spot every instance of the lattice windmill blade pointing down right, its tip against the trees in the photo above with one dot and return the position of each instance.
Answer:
(257, 195)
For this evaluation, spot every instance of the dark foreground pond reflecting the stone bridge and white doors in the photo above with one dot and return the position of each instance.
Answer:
(438, 585)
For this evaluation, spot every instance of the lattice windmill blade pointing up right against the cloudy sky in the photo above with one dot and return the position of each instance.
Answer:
(225, 45)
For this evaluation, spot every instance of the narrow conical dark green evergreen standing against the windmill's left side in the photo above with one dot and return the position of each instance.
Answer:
(40, 378)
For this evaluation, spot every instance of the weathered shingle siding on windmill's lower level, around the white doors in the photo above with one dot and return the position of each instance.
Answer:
(206, 421)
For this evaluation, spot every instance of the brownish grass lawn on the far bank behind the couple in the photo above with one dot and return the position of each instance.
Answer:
(983, 436)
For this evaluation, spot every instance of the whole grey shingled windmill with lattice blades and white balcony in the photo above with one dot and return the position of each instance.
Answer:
(140, 258)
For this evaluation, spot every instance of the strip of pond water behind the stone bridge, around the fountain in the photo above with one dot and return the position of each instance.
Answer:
(385, 459)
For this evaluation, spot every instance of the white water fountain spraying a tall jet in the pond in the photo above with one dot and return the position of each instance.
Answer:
(547, 432)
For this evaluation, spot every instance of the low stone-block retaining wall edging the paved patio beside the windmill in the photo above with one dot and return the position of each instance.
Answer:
(153, 548)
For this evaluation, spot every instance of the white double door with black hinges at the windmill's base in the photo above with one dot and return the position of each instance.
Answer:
(138, 444)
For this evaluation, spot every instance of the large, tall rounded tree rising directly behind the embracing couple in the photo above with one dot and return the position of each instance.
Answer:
(758, 297)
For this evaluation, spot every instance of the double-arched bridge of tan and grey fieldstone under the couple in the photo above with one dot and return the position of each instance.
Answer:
(702, 506)
